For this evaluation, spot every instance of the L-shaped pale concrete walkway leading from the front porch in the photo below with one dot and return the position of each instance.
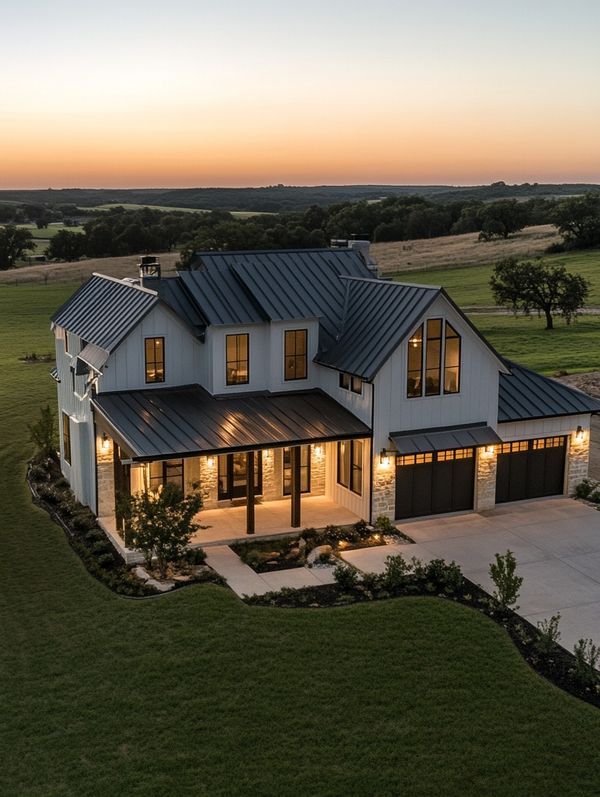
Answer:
(244, 581)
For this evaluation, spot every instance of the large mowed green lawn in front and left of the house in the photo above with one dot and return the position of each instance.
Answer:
(196, 693)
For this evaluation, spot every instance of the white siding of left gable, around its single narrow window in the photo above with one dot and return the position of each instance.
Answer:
(186, 358)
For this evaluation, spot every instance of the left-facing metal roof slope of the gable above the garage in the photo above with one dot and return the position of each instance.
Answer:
(378, 317)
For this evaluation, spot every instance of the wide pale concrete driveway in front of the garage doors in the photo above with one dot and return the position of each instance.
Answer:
(557, 545)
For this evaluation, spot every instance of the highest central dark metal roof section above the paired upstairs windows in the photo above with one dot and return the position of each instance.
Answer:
(253, 287)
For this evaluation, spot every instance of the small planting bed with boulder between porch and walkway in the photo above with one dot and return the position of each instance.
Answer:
(316, 546)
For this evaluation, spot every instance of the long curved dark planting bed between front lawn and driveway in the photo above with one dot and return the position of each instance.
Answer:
(576, 672)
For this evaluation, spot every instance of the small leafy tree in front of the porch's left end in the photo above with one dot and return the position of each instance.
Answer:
(161, 525)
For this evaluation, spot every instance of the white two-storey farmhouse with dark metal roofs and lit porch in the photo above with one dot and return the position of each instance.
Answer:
(298, 379)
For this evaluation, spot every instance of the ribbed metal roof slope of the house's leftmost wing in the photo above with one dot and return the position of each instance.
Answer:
(104, 310)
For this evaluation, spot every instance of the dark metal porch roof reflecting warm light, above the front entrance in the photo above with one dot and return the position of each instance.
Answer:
(188, 421)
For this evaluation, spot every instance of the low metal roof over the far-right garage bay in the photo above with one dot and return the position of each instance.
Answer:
(525, 395)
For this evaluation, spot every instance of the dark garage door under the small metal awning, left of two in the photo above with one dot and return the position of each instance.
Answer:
(429, 484)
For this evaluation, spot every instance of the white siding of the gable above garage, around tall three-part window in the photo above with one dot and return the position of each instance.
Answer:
(477, 400)
